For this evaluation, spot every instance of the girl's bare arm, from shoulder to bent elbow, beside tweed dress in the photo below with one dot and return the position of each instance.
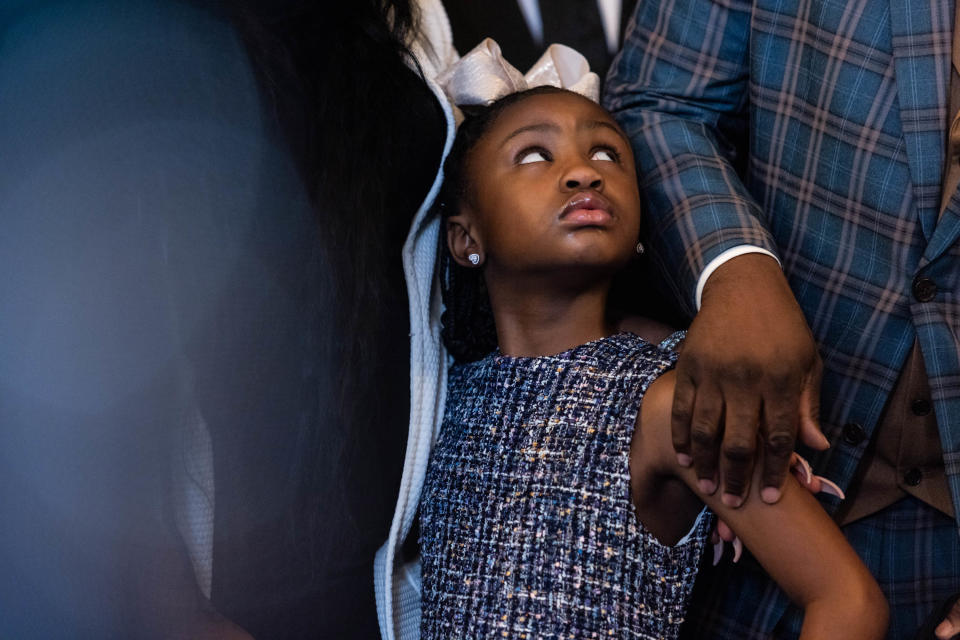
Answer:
(794, 540)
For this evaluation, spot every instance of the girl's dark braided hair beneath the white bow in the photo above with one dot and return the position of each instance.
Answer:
(468, 332)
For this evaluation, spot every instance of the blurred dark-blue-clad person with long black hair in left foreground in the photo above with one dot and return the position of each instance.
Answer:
(203, 210)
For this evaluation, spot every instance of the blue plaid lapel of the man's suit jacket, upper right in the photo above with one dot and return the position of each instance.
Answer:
(921, 32)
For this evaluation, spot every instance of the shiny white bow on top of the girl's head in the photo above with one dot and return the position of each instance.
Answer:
(483, 75)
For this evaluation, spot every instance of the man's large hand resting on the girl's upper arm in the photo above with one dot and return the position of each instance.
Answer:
(748, 366)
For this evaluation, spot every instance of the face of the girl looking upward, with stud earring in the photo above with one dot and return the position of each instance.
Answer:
(551, 185)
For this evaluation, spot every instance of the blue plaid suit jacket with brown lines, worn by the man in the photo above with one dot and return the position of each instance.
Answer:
(835, 114)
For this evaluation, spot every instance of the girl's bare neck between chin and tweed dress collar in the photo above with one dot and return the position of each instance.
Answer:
(534, 321)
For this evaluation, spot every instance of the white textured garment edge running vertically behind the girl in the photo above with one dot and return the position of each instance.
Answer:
(398, 585)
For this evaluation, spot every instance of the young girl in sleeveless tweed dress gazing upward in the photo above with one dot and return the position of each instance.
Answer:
(554, 506)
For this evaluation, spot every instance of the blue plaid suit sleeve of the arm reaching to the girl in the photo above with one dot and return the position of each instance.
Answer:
(679, 88)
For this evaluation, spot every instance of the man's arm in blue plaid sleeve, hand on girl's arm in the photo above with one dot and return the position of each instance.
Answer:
(680, 90)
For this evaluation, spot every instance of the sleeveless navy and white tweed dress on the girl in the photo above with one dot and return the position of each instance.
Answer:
(527, 525)
